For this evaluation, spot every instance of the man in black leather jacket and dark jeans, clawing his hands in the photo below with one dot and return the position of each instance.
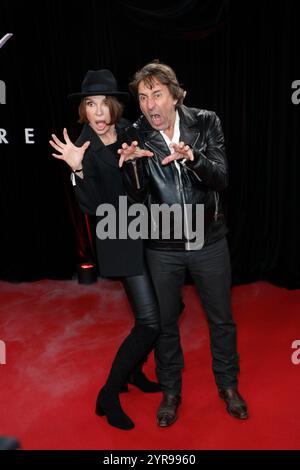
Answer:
(185, 165)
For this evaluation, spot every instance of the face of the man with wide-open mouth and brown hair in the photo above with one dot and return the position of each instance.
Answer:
(157, 104)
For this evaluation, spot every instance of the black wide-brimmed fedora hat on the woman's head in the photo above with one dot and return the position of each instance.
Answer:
(99, 82)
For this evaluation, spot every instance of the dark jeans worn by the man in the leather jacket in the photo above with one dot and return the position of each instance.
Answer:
(210, 270)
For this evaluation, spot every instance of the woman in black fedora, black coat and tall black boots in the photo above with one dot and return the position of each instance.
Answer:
(97, 179)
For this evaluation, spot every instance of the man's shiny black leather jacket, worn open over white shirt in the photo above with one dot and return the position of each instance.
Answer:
(197, 182)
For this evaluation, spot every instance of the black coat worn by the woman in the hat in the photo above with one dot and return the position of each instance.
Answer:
(102, 183)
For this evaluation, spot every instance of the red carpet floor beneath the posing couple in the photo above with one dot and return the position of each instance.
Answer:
(60, 340)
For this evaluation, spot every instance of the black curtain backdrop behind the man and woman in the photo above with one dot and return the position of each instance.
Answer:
(237, 58)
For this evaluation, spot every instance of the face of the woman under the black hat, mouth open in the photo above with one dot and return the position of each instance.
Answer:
(98, 114)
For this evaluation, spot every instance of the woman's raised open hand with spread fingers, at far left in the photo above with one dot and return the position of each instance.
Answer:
(69, 153)
